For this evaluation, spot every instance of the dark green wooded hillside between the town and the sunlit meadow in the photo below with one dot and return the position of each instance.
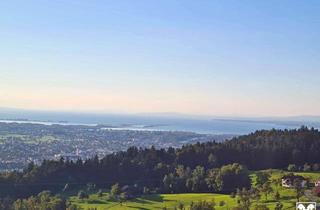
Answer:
(205, 167)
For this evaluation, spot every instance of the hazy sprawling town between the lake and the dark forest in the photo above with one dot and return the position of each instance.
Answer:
(22, 143)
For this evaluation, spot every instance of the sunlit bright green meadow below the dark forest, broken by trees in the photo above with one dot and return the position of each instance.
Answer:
(159, 201)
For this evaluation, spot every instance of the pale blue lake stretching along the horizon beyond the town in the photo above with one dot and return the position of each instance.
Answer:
(135, 122)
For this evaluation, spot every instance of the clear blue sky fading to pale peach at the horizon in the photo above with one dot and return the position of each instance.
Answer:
(226, 58)
